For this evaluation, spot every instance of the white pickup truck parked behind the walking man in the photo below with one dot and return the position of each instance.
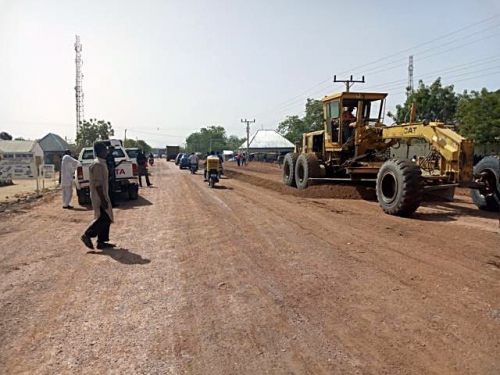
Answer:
(126, 173)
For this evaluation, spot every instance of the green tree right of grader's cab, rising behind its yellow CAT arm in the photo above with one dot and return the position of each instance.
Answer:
(434, 103)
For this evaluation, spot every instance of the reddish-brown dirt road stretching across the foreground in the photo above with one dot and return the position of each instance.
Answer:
(247, 280)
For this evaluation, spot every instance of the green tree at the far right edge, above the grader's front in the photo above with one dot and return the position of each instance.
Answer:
(478, 116)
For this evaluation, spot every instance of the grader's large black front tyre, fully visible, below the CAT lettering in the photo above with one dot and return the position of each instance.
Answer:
(399, 187)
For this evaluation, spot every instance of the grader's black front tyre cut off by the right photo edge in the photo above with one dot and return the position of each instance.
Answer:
(488, 200)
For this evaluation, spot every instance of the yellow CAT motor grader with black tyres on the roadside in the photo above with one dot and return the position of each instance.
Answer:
(355, 146)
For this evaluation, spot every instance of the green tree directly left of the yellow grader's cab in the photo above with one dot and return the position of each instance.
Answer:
(293, 127)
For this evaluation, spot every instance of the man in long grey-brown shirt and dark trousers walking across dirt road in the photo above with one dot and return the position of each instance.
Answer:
(99, 195)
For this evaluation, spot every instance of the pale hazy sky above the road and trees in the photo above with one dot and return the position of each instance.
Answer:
(163, 69)
